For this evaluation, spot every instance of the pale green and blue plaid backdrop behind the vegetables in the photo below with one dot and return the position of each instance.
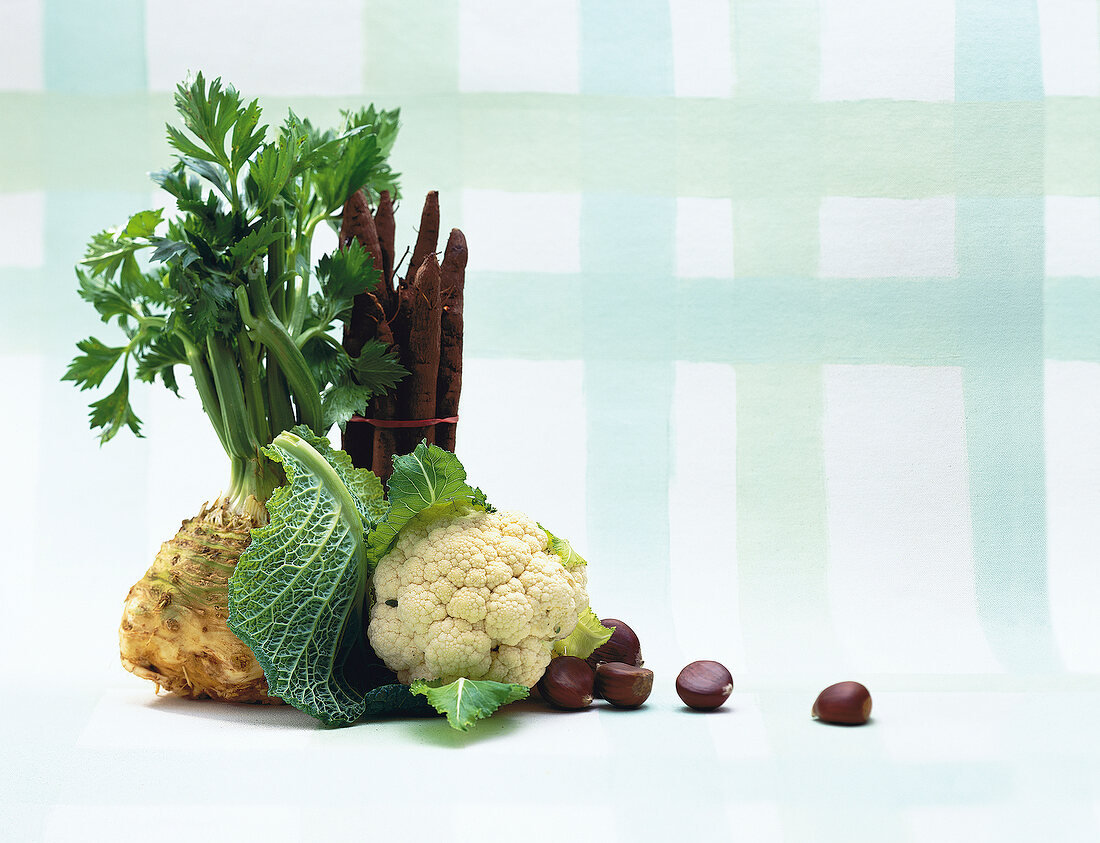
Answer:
(787, 313)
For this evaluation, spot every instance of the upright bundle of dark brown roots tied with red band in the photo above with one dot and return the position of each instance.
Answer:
(421, 318)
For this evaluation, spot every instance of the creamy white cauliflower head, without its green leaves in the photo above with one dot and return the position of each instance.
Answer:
(477, 596)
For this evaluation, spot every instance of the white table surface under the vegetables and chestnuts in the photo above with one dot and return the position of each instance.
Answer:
(943, 759)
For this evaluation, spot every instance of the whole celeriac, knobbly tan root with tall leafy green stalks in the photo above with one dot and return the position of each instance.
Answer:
(232, 291)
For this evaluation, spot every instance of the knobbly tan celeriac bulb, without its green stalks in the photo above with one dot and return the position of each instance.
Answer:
(174, 631)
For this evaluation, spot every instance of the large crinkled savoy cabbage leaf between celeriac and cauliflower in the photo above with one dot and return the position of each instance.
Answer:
(296, 596)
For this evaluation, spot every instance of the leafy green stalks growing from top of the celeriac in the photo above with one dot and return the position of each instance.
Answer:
(225, 283)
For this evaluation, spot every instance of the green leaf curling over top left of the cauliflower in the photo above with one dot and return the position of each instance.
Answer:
(430, 479)
